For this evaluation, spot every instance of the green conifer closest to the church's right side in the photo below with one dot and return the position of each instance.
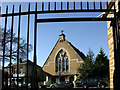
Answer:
(85, 70)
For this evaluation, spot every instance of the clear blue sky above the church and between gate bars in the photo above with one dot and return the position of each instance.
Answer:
(83, 35)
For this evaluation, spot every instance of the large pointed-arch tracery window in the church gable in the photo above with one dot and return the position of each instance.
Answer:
(62, 61)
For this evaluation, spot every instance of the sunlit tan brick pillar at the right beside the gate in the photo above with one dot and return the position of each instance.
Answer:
(111, 47)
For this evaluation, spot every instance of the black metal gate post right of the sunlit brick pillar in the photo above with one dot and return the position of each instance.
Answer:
(116, 75)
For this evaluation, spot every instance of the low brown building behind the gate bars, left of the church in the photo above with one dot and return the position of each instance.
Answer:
(23, 72)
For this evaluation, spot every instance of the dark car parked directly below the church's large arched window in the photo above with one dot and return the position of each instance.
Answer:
(61, 85)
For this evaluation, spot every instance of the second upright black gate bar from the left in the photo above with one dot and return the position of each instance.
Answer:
(11, 44)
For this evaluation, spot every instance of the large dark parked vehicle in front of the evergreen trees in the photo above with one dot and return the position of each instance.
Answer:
(92, 82)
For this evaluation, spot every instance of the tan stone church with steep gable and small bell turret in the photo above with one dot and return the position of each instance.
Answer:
(63, 62)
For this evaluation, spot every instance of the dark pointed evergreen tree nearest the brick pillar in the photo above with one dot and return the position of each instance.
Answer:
(101, 66)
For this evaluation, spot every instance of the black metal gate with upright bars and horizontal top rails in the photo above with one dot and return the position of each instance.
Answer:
(107, 10)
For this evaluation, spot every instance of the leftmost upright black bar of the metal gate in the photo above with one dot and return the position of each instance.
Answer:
(4, 47)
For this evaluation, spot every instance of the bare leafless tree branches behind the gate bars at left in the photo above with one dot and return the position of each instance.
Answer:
(22, 46)
